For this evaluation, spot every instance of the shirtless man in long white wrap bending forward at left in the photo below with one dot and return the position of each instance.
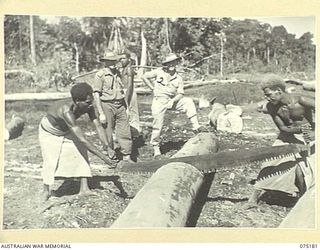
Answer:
(63, 144)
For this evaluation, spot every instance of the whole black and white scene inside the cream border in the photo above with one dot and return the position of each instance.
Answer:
(116, 122)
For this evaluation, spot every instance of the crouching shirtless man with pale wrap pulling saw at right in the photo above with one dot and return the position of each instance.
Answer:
(293, 115)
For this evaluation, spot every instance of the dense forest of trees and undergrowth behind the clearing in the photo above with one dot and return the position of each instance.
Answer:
(42, 52)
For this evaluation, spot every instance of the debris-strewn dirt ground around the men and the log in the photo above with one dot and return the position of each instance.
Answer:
(65, 209)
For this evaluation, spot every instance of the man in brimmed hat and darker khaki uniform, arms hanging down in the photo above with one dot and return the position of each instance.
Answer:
(110, 103)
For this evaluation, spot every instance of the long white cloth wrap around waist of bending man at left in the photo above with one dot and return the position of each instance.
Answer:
(63, 156)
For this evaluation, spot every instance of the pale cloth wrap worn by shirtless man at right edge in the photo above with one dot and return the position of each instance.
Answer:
(281, 175)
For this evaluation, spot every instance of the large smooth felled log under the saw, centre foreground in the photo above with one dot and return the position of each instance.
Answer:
(167, 198)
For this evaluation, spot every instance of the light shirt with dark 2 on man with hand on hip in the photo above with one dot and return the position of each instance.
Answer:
(167, 85)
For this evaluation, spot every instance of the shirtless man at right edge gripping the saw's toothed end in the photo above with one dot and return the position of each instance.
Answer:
(292, 114)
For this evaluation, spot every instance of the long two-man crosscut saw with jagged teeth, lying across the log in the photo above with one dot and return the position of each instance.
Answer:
(208, 163)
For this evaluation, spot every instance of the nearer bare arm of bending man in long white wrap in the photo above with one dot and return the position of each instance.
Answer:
(69, 118)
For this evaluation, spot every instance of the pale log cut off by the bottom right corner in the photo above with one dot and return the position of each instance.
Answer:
(302, 215)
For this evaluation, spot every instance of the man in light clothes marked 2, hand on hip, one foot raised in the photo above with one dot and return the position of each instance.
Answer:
(168, 94)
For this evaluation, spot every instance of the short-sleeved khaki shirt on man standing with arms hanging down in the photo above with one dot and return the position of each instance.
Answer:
(109, 85)
